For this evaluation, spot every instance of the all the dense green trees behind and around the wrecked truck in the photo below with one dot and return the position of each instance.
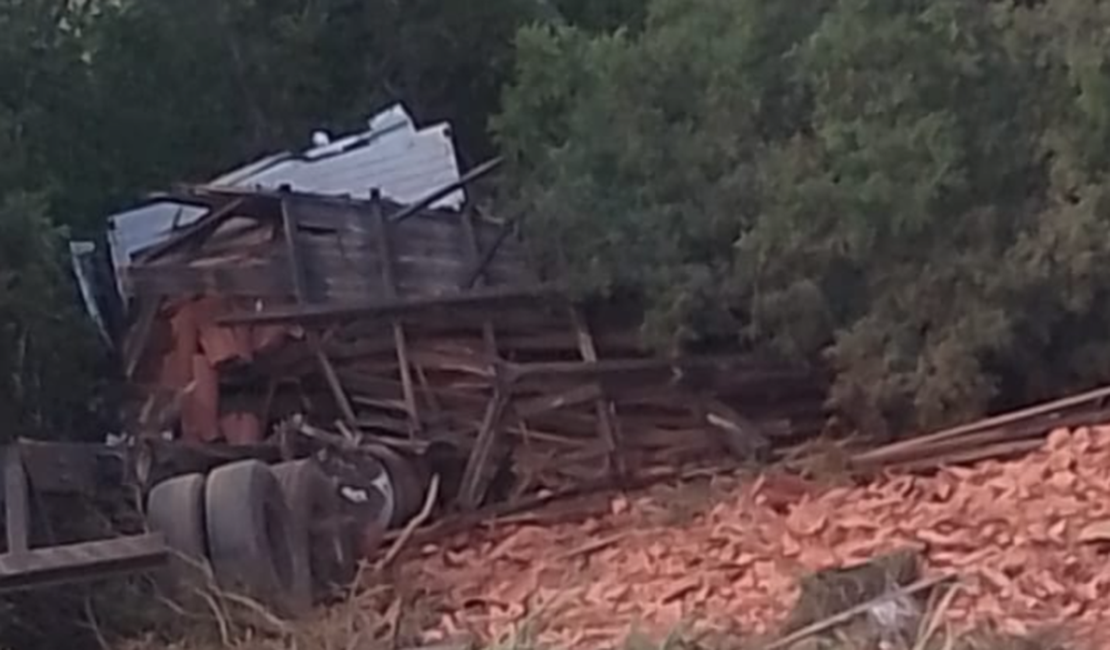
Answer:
(913, 192)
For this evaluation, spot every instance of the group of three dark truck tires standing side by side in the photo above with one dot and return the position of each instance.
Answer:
(269, 534)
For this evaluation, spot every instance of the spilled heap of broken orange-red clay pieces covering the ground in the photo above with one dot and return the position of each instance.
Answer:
(1030, 540)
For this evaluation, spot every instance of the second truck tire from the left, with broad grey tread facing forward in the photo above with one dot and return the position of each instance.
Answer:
(254, 542)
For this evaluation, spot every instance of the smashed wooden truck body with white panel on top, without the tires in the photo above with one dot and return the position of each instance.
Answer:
(402, 319)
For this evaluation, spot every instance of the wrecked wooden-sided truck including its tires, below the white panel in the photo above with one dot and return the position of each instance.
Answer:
(302, 364)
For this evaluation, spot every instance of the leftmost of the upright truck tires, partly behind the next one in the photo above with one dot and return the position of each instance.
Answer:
(176, 509)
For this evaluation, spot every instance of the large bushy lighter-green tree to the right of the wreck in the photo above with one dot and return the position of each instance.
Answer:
(914, 192)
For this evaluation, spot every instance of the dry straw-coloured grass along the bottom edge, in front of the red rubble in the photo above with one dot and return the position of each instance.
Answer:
(382, 618)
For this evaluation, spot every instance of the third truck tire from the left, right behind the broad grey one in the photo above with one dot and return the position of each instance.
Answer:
(315, 503)
